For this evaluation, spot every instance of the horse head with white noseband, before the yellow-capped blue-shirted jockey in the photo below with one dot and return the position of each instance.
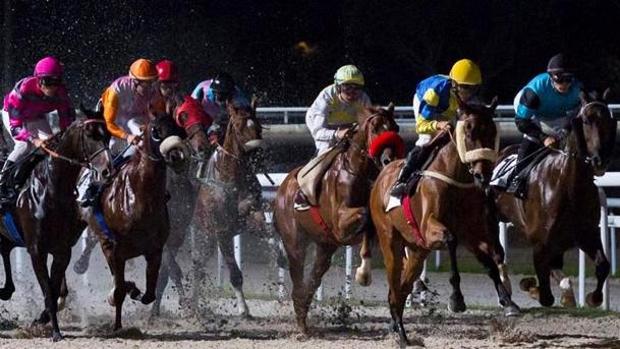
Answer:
(477, 139)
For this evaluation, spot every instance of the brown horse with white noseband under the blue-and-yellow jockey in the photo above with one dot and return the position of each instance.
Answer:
(449, 205)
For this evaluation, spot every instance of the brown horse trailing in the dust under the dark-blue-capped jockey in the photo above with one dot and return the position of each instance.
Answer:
(229, 198)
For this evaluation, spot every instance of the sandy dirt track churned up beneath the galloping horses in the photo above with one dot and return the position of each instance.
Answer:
(362, 323)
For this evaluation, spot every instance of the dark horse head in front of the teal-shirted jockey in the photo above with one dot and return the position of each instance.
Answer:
(595, 129)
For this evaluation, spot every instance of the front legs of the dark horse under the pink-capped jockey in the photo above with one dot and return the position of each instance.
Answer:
(50, 287)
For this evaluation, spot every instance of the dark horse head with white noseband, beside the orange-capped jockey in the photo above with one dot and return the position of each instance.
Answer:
(163, 140)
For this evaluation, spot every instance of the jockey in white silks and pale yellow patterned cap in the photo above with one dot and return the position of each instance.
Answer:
(336, 108)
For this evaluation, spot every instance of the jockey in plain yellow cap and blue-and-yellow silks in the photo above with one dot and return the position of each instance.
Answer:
(434, 105)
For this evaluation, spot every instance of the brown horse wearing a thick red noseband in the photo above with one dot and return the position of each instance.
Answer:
(343, 208)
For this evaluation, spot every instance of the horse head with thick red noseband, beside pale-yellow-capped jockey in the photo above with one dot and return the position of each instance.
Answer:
(378, 136)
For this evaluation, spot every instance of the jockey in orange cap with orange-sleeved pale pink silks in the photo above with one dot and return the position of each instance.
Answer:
(126, 102)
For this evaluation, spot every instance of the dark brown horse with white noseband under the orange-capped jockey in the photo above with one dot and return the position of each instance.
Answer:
(133, 210)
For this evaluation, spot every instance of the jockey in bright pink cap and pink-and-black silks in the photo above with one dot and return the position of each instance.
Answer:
(24, 115)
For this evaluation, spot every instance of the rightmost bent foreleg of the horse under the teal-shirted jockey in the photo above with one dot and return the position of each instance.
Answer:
(594, 249)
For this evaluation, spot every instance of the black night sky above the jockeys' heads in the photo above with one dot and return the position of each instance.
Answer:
(396, 43)
